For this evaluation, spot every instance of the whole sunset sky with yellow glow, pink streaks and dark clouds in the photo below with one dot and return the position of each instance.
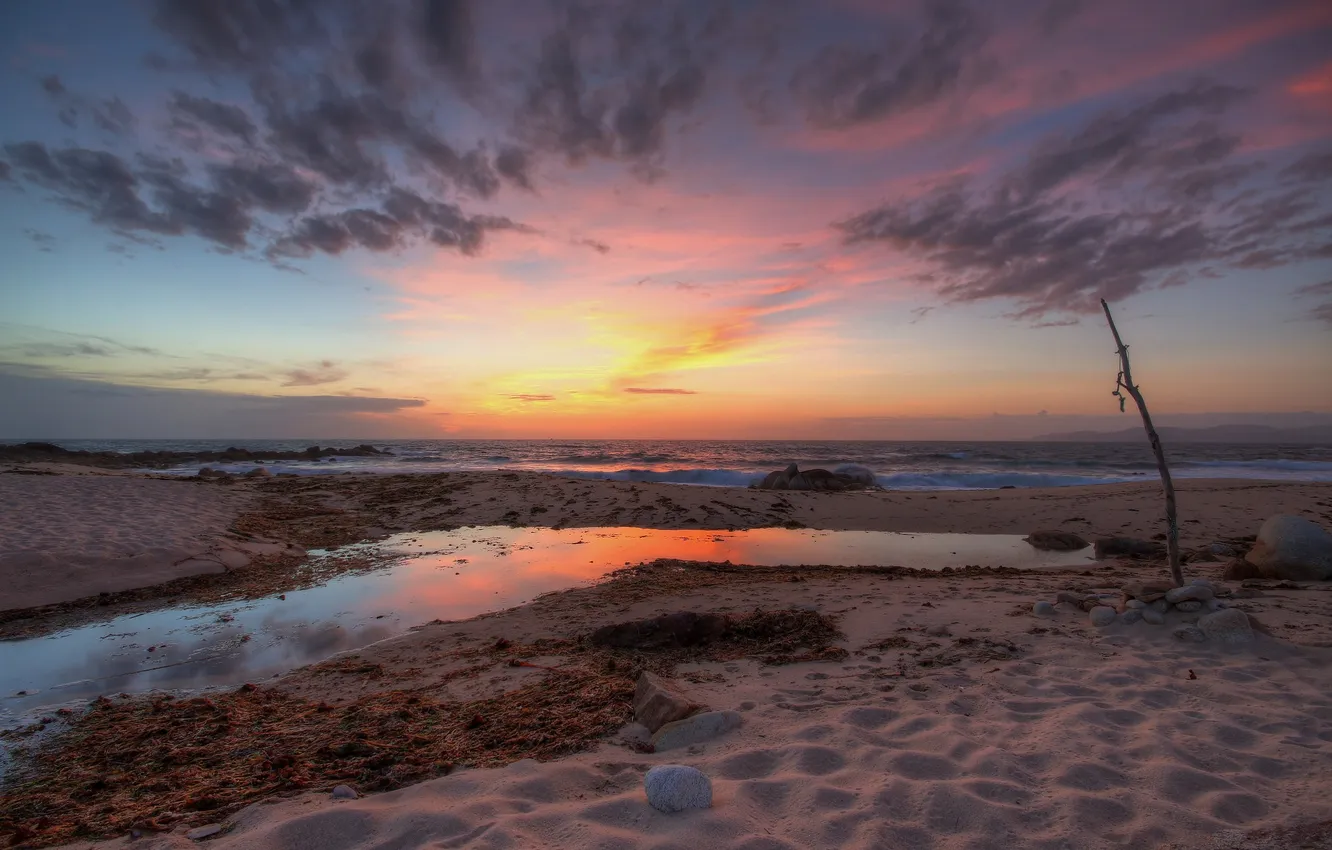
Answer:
(677, 219)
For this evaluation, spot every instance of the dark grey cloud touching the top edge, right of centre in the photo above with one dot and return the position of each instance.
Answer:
(850, 85)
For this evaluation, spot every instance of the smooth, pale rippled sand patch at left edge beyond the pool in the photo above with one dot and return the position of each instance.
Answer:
(82, 534)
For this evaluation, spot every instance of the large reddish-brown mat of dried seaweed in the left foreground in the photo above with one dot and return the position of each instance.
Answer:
(151, 763)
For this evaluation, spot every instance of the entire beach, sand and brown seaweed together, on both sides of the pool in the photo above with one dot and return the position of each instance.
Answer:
(926, 709)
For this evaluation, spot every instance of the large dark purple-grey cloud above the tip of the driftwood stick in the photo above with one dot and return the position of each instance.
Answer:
(1033, 239)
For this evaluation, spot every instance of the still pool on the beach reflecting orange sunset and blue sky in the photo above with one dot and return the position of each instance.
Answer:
(440, 575)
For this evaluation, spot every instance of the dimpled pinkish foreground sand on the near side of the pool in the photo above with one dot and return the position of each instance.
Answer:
(1076, 737)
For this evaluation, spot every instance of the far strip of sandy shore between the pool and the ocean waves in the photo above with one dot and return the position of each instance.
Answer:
(75, 536)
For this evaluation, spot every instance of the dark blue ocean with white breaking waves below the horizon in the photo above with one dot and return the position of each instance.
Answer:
(740, 463)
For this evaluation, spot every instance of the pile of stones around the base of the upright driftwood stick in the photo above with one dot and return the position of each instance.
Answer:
(1152, 603)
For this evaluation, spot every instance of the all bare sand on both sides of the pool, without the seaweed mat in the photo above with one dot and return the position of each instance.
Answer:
(1009, 731)
